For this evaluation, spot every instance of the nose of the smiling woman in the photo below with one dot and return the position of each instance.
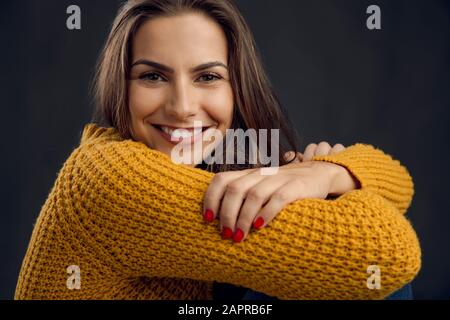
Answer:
(182, 104)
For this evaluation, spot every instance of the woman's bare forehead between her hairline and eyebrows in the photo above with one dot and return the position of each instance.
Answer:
(189, 36)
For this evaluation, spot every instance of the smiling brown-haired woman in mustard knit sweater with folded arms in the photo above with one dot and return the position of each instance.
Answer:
(123, 221)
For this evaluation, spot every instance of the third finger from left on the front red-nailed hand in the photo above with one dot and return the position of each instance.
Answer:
(256, 197)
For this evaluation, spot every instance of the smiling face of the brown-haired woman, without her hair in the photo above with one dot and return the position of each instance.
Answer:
(179, 75)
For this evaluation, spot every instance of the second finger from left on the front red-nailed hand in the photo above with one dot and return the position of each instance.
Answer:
(232, 201)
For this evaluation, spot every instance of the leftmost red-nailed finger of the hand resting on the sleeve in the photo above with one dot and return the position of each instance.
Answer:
(215, 193)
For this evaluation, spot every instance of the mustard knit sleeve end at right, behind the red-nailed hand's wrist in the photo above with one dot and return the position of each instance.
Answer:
(376, 172)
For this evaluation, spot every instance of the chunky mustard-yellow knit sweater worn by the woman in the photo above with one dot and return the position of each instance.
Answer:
(131, 220)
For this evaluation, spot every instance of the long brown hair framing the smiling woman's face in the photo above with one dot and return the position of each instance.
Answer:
(256, 105)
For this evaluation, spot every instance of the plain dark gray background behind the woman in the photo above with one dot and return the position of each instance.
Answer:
(339, 81)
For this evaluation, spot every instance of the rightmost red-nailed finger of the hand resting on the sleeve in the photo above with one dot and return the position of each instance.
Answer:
(283, 196)
